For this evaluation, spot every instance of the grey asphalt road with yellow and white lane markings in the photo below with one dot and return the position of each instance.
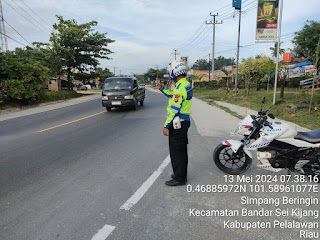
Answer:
(79, 172)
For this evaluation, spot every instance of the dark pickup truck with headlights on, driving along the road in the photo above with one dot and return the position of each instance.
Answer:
(122, 92)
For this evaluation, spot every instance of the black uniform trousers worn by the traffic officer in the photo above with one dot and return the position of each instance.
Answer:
(178, 141)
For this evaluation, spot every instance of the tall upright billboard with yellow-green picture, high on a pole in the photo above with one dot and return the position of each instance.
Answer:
(267, 19)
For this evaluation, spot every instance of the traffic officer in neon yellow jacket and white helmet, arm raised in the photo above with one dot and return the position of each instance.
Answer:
(180, 101)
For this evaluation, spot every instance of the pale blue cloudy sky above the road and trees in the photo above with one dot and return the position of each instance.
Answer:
(147, 31)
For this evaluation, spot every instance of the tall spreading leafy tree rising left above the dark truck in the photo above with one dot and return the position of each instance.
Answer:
(78, 46)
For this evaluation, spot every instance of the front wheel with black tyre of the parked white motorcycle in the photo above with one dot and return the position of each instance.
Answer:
(228, 162)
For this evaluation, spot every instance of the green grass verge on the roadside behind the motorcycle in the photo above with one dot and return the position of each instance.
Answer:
(294, 108)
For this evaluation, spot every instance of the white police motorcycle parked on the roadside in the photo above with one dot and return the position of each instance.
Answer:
(279, 147)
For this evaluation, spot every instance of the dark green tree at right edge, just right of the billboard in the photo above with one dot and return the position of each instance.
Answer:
(305, 41)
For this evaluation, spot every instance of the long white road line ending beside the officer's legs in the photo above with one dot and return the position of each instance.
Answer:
(145, 186)
